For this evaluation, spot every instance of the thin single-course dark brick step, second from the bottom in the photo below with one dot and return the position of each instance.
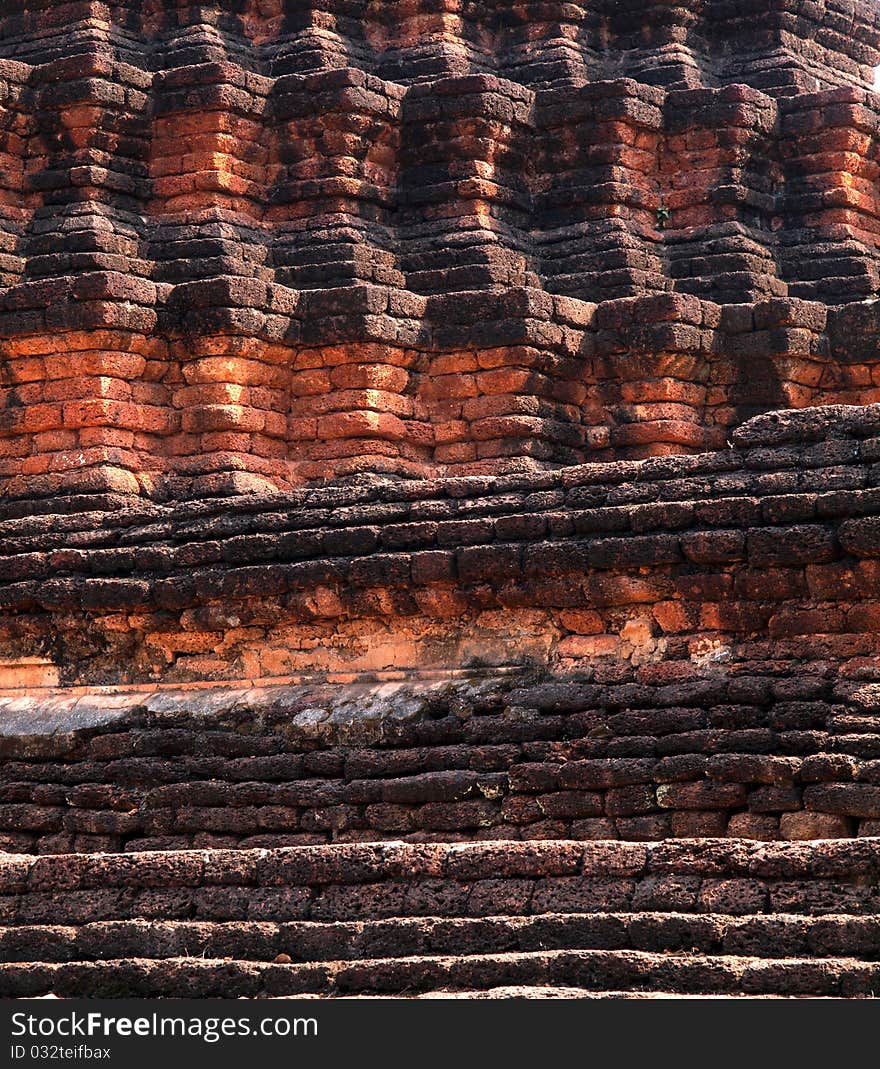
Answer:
(775, 936)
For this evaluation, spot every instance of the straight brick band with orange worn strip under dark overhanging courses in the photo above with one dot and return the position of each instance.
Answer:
(770, 543)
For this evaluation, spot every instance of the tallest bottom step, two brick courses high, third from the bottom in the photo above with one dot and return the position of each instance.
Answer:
(350, 882)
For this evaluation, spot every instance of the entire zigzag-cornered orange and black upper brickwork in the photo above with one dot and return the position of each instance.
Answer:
(253, 244)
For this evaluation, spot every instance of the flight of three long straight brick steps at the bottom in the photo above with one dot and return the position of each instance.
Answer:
(727, 918)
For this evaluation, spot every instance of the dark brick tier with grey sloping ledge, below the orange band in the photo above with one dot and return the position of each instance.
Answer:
(641, 755)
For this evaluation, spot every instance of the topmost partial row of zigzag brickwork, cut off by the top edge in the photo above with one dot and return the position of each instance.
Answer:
(534, 43)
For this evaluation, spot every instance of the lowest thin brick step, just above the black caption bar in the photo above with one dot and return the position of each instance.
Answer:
(591, 970)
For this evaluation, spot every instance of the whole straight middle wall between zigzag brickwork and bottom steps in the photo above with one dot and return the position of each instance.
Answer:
(680, 646)
